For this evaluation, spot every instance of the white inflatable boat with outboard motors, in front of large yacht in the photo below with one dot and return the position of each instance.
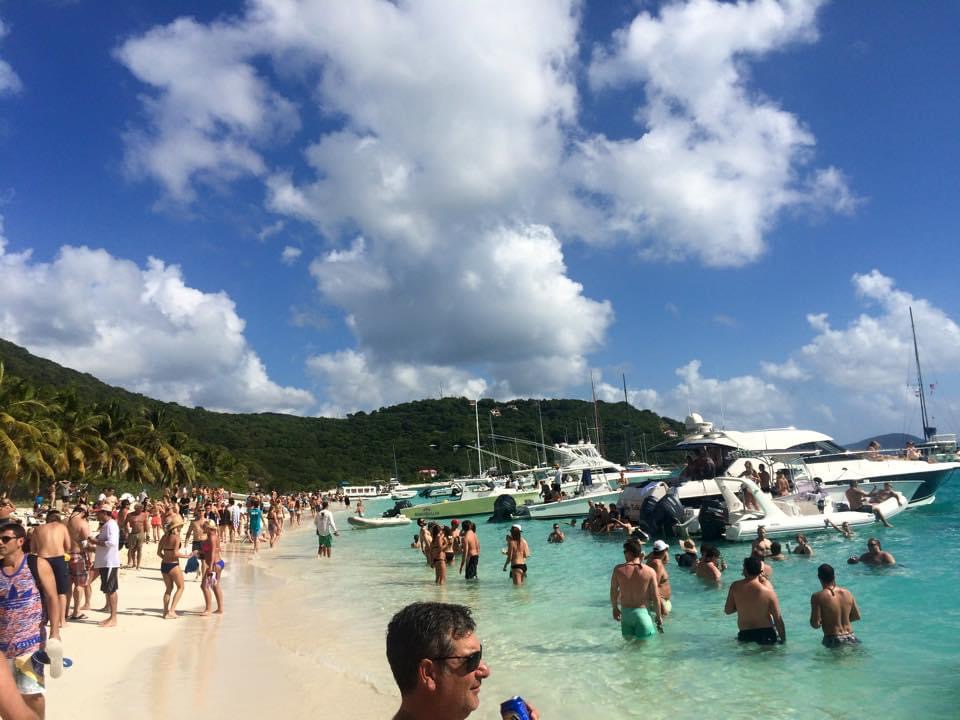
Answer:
(785, 517)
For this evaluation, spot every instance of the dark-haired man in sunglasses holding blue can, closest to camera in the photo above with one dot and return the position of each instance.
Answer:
(437, 661)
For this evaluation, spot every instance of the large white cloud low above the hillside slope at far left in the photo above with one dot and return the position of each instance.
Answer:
(142, 328)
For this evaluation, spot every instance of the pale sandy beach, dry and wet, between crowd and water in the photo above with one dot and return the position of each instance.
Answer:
(220, 666)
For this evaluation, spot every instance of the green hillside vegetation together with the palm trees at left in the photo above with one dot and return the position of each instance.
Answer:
(60, 425)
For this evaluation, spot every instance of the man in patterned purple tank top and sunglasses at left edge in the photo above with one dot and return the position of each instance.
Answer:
(26, 583)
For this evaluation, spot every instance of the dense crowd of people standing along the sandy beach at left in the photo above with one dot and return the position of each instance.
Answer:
(50, 559)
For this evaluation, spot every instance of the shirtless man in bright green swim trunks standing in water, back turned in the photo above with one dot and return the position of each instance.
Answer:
(634, 589)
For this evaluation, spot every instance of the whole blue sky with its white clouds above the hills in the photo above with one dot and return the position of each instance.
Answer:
(325, 207)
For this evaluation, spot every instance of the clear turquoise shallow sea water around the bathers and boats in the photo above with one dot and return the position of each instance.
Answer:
(555, 642)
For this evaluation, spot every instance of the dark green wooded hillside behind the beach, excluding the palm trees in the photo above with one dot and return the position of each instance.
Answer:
(285, 451)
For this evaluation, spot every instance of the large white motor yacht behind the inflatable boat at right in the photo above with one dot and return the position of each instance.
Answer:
(810, 454)
